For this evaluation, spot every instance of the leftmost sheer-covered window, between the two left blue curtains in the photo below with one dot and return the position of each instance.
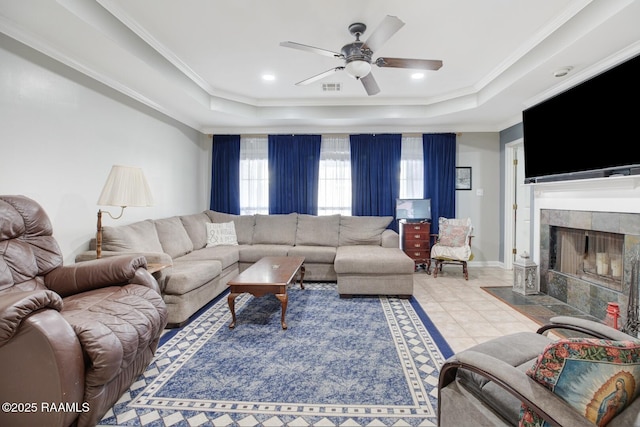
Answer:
(254, 175)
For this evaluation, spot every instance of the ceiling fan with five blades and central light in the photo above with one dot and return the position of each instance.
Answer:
(358, 55)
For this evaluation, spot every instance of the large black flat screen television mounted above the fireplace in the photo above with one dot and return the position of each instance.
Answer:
(588, 131)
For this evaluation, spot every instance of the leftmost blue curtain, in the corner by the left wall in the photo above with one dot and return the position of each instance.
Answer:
(225, 174)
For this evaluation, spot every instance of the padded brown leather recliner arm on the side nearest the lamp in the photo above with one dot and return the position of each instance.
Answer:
(85, 276)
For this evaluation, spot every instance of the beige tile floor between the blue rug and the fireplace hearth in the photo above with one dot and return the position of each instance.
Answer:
(464, 313)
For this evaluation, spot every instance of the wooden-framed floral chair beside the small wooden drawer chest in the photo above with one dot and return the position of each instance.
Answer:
(453, 244)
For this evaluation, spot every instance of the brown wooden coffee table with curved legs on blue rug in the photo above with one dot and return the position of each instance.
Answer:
(270, 275)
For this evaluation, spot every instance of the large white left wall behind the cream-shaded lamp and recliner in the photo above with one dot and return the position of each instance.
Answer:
(60, 133)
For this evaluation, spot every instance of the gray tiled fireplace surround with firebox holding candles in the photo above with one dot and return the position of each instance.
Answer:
(587, 259)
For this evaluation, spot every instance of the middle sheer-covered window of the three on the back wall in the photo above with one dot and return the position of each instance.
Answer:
(334, 186)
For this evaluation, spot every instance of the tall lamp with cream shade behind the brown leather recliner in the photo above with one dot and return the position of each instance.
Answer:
(125, 186)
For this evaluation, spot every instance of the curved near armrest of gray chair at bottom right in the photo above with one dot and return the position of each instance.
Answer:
(549, 406)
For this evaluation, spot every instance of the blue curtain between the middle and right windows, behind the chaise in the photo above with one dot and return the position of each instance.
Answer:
(375, 174)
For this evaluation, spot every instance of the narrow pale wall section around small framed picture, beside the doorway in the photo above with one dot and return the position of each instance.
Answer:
(481, 152)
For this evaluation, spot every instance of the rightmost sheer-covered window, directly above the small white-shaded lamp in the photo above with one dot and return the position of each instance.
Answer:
(411, 168)
